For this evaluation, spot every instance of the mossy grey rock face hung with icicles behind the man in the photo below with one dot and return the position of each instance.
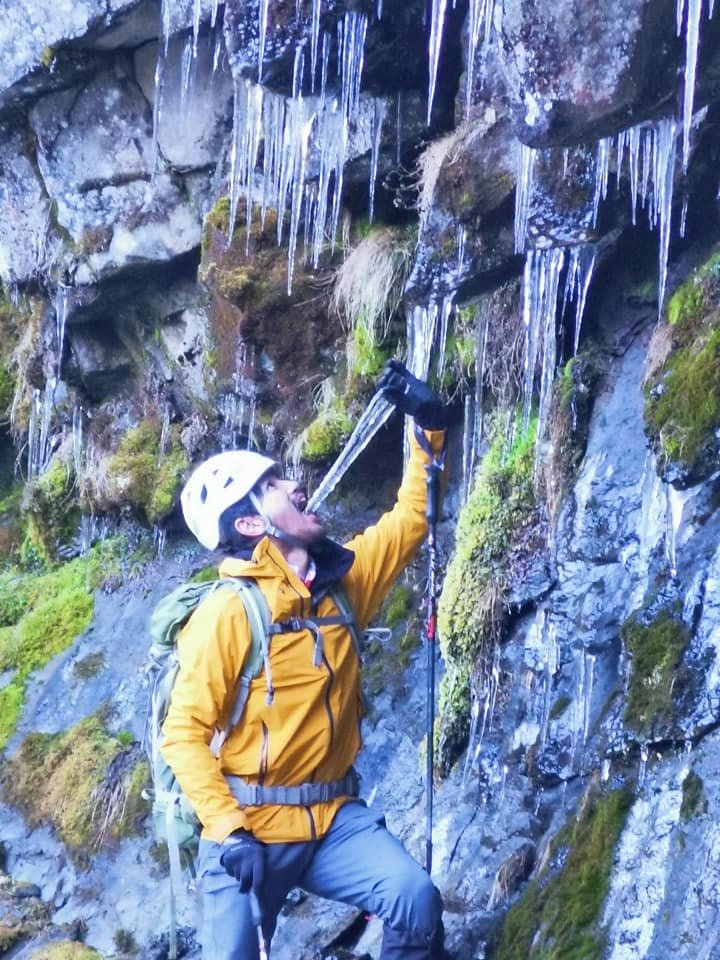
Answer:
(171, 234)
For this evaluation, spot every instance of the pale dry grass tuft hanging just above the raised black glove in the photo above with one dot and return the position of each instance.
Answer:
(369, 285)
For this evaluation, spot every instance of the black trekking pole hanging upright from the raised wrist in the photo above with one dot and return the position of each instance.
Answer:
(432, 510)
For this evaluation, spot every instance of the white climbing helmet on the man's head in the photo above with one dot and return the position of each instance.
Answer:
(215, 485)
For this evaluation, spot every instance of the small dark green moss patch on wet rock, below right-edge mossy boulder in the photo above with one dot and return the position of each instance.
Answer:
(656, 651)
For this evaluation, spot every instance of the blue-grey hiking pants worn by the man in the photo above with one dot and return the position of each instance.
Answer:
(358, 862)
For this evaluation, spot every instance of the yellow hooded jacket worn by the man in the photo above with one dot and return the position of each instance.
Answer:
(311, 732)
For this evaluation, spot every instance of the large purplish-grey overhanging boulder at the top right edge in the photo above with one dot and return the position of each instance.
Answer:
(628, 68)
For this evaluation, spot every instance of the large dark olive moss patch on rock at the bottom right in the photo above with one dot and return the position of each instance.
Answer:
(558, 917)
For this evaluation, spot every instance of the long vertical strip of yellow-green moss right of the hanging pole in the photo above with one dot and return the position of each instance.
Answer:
(470, 614)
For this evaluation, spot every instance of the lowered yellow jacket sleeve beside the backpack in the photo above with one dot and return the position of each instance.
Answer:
(211, 649)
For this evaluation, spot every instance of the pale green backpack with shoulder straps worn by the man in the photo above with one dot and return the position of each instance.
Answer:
(174, 819)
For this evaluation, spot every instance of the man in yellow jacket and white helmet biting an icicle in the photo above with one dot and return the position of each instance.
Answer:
(262, 833)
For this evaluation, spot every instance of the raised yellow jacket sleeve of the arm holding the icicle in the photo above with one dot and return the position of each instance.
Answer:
(383, 550)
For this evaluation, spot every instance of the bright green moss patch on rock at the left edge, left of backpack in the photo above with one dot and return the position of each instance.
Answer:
(42, 612)
